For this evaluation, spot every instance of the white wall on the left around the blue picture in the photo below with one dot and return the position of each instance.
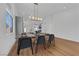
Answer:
(6, 39)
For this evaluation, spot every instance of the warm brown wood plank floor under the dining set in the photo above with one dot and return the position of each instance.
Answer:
(62, 48)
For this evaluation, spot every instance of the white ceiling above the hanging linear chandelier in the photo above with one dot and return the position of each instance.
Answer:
(44, 9)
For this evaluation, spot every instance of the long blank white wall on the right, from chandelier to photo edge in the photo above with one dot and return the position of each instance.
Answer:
(64, 24)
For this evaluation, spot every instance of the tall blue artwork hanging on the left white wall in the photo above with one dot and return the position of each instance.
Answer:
(9, 22)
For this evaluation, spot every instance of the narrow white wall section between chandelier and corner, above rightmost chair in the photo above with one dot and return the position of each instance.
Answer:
(48, 25)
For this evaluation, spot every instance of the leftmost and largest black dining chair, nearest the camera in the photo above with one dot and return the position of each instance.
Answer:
(24, 42)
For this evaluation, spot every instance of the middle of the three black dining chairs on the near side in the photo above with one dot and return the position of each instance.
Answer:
(40, 41)
